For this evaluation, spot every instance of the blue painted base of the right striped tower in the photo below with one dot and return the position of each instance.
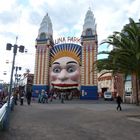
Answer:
(89, 92)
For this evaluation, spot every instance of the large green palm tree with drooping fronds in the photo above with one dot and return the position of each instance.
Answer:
(125, 56)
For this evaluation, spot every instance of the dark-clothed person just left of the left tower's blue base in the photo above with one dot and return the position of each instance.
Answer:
(29, 94)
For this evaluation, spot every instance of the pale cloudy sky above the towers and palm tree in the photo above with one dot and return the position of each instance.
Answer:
(22, 18)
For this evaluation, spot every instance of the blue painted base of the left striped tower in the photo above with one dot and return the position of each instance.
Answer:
(37, 89)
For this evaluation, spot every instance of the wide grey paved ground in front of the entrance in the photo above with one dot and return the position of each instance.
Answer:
(74, 120)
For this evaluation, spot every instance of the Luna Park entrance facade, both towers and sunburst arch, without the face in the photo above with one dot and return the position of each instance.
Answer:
(84, 53)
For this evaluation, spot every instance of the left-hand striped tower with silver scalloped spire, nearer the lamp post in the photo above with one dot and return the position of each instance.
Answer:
(44, 42)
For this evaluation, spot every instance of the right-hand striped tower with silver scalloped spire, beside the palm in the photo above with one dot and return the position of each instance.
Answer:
(89, 55)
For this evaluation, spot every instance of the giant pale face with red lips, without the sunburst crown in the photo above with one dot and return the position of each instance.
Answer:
(65, 73)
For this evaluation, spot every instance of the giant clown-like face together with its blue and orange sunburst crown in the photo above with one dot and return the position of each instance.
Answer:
(65, 67)
